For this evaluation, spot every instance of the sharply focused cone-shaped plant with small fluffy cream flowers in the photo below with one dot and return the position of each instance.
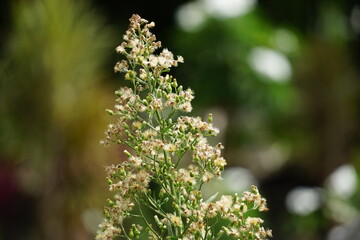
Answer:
(147, 122)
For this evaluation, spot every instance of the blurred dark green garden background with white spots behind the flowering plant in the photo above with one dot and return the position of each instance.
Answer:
(281, 78)
